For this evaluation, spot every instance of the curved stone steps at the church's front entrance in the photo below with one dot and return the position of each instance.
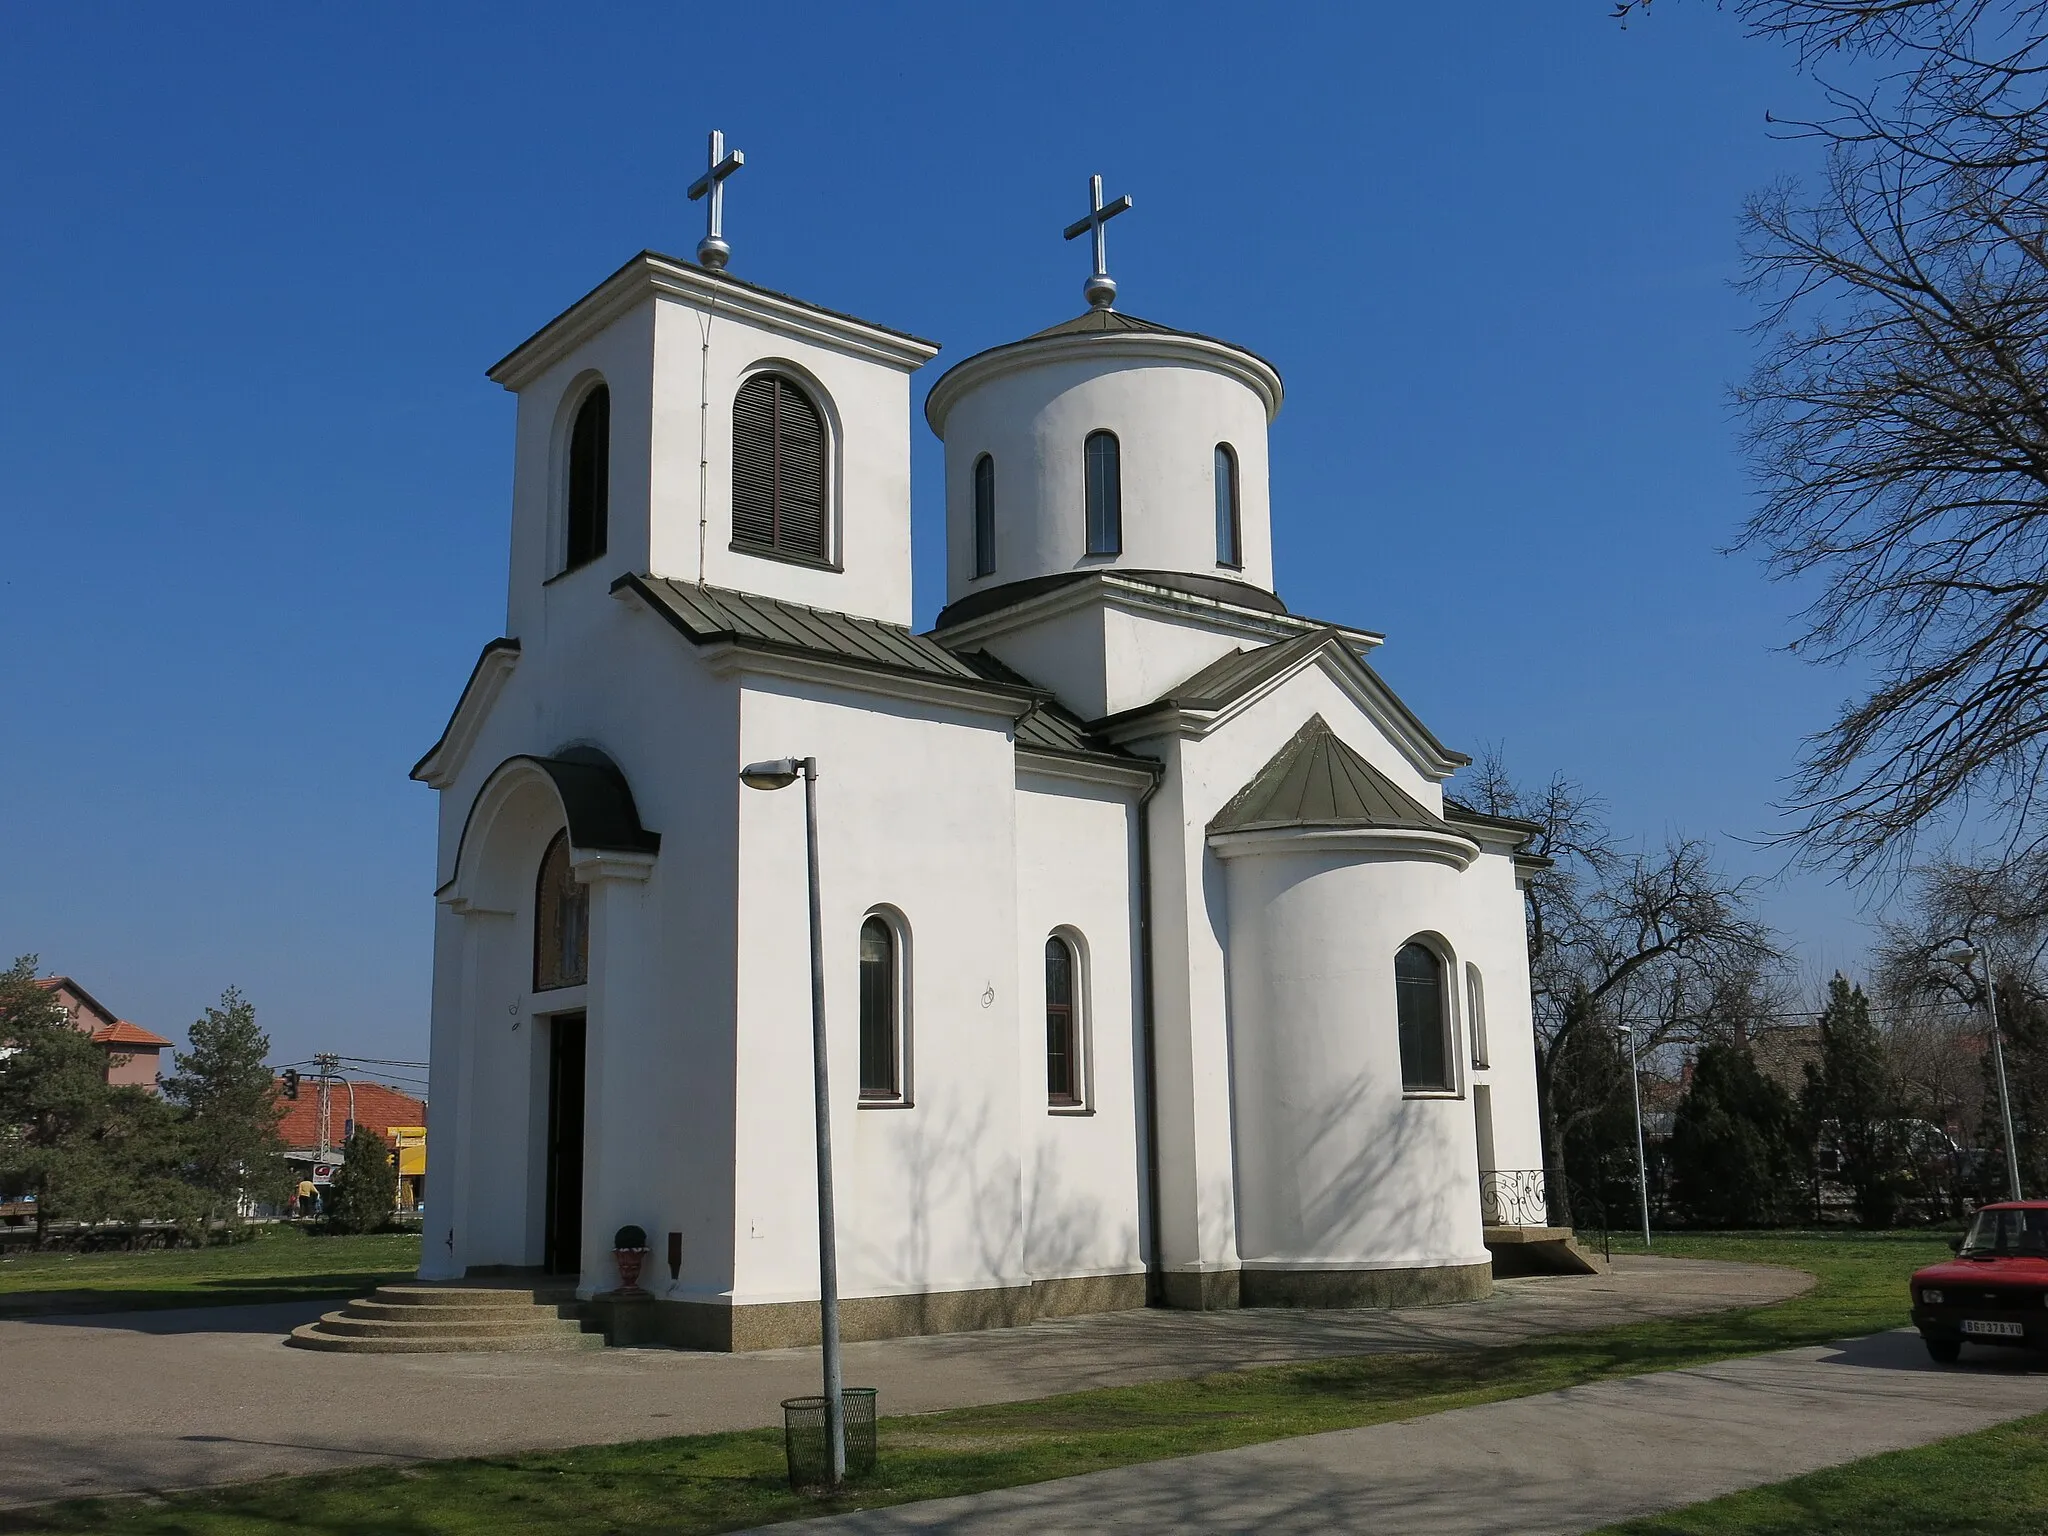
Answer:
(452, 1320)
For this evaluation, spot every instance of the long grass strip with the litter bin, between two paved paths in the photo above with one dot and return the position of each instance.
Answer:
(710, 1484)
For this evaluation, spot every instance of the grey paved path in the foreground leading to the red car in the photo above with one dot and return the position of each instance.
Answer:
(1558, 1463)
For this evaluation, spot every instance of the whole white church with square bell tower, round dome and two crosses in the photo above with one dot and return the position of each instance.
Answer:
(1160, 968)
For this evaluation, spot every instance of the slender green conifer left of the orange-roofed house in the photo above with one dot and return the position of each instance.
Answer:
(230, 1111)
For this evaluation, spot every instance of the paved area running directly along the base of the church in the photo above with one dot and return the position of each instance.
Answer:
(212, 1396)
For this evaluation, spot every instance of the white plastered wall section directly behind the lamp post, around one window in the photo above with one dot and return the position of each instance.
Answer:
(916, 814)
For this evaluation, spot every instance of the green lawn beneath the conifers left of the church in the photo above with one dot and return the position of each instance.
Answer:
(278, 1265)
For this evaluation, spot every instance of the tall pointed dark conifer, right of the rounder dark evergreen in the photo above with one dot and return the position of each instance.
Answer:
(1854, 1105)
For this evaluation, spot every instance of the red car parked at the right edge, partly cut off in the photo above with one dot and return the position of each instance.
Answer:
(1996, 1289)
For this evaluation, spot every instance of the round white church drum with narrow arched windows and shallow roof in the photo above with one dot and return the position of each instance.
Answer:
(1107, 443)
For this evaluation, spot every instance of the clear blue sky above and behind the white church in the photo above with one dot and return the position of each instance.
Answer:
(255, 484)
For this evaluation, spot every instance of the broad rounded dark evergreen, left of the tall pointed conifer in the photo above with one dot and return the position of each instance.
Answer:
(1736, 1160)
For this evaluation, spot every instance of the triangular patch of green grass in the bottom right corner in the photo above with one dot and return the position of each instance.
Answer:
(1988, 1484)
